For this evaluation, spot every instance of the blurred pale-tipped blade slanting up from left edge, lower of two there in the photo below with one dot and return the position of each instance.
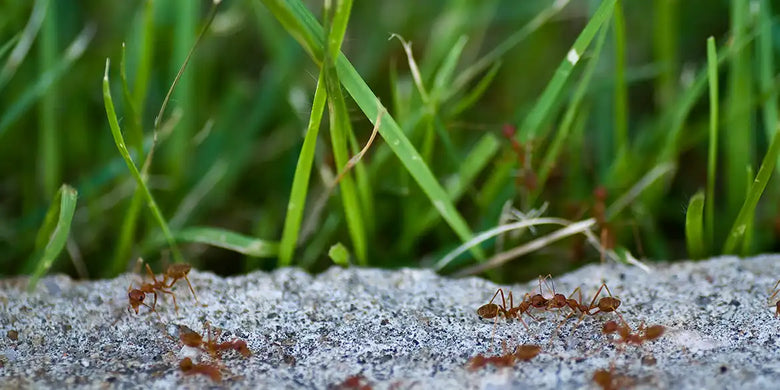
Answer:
(42, 84)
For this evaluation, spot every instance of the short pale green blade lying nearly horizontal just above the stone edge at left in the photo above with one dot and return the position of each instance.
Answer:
(229, 240)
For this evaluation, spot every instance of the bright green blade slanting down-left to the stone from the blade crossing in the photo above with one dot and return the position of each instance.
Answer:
(300, 187)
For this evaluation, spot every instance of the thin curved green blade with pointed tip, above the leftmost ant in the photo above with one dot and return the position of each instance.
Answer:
(116, 132)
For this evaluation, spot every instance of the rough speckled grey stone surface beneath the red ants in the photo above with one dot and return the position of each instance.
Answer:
(397, 329)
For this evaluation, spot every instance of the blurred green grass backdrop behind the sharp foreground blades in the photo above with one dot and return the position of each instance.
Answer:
(636, 103)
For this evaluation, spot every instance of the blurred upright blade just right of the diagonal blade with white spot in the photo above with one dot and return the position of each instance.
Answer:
(621, 87)
